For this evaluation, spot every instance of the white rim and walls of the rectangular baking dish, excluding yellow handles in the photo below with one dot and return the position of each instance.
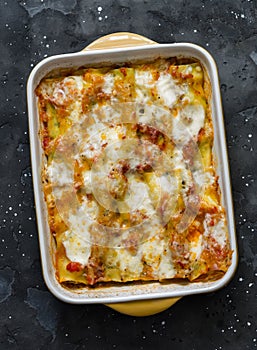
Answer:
(128, 292)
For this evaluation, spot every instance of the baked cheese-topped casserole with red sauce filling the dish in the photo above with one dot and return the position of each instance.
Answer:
(129, 176)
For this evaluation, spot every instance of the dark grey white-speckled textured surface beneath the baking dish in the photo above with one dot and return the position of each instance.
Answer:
(30, 317)
